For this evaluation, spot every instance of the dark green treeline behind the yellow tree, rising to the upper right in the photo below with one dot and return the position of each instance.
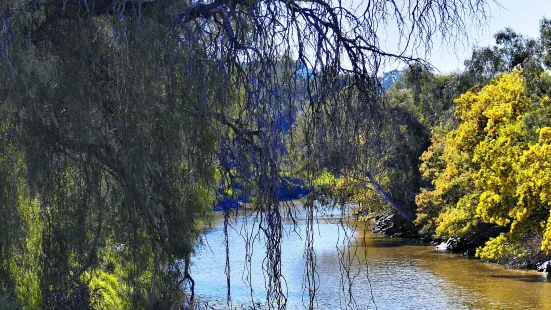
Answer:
(418, 109)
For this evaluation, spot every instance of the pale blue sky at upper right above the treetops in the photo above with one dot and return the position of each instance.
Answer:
(523, 16)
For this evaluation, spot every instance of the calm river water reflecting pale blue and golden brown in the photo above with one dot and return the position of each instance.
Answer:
(387, 273)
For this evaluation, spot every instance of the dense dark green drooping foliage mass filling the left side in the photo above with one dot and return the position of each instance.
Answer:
(99, 150)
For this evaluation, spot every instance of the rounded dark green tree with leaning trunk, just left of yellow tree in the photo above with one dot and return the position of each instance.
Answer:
(377, 167)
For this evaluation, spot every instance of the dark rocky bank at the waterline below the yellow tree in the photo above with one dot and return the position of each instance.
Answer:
(393, 225)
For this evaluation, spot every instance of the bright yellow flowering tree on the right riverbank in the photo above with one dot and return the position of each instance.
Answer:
(494, 170)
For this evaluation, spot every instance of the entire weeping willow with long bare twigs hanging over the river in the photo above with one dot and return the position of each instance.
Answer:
(121, 122)
